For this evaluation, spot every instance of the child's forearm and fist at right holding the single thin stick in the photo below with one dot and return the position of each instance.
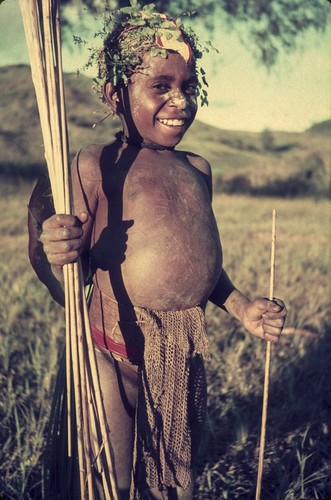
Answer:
(261, 317)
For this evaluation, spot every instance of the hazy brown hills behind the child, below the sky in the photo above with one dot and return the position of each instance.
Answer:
(272, 162)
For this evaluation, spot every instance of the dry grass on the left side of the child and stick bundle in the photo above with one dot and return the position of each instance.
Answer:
(31, 335)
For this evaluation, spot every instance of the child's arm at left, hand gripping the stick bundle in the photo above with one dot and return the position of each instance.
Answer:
(56, 240)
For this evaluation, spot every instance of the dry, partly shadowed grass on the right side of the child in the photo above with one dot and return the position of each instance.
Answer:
(297, 463)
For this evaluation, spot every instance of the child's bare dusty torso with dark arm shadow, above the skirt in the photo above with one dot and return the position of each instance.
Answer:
(155, 242)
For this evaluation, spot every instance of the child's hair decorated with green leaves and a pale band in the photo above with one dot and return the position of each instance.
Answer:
(130, 32)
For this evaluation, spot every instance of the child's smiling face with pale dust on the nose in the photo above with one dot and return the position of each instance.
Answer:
(162, 100)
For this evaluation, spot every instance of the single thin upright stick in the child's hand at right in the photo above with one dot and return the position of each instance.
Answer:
(267, 365)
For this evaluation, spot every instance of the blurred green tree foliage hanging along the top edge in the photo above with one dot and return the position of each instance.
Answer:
(271, 25)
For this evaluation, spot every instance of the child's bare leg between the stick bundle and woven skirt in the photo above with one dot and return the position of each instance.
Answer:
(119, 383)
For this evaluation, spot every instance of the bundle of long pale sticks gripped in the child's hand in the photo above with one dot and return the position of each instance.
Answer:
(86, 419)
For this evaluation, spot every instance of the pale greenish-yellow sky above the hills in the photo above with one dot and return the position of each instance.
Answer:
(242, 94)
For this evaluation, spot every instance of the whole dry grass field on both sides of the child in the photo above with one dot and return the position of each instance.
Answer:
(297, 459)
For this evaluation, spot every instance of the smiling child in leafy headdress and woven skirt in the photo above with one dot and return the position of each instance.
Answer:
(147, 238)
